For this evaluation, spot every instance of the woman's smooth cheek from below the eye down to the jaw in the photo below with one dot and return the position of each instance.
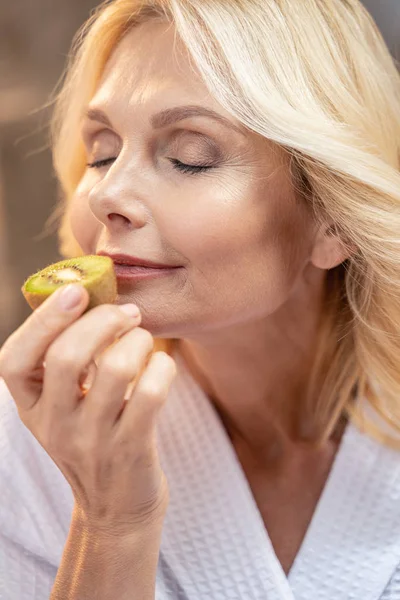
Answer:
(244, 255)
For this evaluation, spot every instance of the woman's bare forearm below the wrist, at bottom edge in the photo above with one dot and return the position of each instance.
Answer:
(99, 567)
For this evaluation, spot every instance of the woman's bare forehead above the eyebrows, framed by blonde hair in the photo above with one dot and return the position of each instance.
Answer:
(149, 62)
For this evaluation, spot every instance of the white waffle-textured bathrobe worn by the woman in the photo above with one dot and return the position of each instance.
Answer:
(214, 543)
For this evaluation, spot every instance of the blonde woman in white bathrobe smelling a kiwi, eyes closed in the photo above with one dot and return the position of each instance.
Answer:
(253, 149)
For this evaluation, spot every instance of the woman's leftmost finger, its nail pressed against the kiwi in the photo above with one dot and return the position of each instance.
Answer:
(22, 354)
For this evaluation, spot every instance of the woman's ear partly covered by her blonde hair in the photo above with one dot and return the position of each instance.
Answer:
(329, 249)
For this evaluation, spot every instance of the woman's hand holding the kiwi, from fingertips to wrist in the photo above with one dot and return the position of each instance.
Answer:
(104, 446)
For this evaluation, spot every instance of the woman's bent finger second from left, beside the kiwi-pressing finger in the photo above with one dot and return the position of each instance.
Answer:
(74, 350)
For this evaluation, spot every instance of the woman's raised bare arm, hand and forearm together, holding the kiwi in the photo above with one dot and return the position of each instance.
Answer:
(104, 444)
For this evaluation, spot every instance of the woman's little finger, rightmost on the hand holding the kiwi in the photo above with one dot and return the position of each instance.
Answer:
(148, 397)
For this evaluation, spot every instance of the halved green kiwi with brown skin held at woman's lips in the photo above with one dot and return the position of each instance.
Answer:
(95, 273)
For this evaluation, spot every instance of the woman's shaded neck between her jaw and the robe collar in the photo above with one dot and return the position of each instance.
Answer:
(257, 375)
